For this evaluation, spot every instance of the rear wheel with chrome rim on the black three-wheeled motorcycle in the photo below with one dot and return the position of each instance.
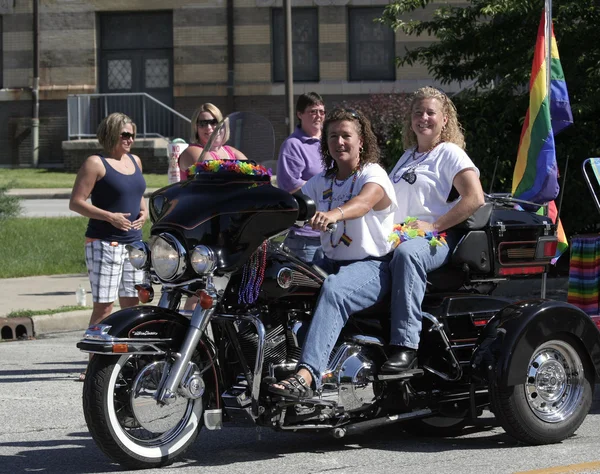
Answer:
(554, 398)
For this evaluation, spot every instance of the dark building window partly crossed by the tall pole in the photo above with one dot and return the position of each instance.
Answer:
(305, 44)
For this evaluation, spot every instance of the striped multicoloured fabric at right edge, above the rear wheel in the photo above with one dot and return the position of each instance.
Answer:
(584, 273)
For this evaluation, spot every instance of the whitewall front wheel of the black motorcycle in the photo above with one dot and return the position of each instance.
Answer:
(126, 422)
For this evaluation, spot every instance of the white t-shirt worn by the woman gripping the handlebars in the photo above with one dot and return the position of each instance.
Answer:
(369, 233)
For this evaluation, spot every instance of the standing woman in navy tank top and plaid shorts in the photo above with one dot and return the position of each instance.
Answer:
(117, 212)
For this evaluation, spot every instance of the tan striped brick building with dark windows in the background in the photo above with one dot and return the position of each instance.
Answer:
(229, 52)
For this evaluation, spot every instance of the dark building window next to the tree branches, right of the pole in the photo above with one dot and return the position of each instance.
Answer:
(371, 46)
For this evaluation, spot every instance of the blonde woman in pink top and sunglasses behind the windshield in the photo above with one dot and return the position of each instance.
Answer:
(204, 121)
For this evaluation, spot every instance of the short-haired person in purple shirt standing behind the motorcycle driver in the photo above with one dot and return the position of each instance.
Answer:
(299, 160)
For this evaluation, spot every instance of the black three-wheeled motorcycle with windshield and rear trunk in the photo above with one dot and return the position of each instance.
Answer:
(159, 373)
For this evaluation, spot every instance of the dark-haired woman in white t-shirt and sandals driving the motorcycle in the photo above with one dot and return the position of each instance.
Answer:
(355, 192)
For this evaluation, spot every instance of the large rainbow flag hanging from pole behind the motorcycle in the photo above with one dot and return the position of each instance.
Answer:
(535, 177)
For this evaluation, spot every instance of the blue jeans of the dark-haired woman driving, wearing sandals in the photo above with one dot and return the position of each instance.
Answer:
(351, 286)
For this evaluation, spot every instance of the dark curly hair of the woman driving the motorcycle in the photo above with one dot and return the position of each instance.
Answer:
(369, 152)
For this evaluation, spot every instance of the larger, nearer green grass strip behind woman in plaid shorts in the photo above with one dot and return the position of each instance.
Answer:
(44, 246)
